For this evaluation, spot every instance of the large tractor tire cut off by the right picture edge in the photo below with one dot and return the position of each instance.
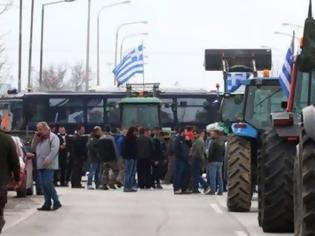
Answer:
(305, 188)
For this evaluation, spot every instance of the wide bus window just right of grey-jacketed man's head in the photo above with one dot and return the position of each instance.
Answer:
(64, 110)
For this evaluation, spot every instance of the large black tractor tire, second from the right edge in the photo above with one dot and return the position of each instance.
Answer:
(276, 181)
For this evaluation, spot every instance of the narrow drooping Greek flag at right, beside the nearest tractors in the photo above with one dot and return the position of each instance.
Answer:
(286, 74)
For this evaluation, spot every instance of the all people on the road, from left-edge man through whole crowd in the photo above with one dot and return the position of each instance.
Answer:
(135, 158)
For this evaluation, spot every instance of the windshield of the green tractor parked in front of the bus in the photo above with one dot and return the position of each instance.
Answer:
(144, 115)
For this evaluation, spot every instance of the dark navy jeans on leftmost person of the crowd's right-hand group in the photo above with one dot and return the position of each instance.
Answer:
(181, 172)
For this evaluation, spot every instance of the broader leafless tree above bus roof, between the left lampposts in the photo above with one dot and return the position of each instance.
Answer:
(53, 78)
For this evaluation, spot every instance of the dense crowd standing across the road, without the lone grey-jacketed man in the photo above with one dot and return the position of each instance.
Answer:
(140, 158)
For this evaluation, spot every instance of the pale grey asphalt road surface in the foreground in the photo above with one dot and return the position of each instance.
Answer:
(114, 213)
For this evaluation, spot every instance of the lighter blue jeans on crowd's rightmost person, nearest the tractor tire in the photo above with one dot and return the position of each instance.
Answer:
(215, 176)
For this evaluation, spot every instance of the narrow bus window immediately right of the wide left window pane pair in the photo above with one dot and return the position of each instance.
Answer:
(95, 110)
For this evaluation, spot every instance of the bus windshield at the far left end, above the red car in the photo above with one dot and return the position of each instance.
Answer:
(15, 108)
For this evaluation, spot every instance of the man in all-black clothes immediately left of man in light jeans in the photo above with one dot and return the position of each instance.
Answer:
(78, 156)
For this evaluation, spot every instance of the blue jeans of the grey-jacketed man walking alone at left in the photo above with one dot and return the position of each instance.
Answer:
(47, 181)
